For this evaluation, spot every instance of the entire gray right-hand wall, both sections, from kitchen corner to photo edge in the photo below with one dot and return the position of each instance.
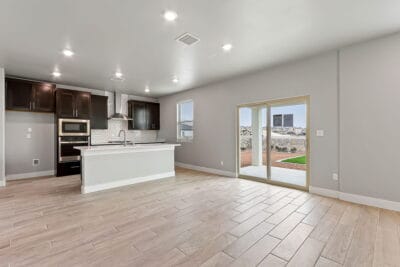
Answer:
(355, 97)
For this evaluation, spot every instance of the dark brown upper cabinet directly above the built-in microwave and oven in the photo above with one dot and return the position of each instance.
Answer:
(73, 104)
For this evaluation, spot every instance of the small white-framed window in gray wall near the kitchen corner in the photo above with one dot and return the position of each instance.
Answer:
(185, 120)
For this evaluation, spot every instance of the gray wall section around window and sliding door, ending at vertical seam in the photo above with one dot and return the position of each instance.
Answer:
(215, 114)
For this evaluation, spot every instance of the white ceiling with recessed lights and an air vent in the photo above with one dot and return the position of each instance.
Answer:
(132, 36)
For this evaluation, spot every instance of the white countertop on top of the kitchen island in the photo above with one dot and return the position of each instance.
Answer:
(110, 149)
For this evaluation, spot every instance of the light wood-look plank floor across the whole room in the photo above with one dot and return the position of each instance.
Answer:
(193, 219)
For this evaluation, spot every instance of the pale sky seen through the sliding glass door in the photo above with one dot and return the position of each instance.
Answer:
(298, 111)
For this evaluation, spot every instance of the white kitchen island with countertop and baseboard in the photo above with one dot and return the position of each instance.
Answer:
(105, 167)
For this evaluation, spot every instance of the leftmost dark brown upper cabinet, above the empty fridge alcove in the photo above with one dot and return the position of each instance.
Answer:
(25, 95)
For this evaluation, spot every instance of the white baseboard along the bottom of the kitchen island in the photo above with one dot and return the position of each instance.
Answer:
(100, 187)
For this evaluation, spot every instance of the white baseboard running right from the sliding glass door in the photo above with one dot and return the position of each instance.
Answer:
(359, 199)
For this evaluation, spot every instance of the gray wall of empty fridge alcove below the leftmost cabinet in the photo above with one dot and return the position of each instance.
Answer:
(20, 151)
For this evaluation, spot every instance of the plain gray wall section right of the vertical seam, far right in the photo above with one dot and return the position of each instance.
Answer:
(370, 118)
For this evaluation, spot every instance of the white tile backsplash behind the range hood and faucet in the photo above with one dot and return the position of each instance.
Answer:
(111, 134)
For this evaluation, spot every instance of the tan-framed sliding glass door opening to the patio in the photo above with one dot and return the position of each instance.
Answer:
(273, 142)
